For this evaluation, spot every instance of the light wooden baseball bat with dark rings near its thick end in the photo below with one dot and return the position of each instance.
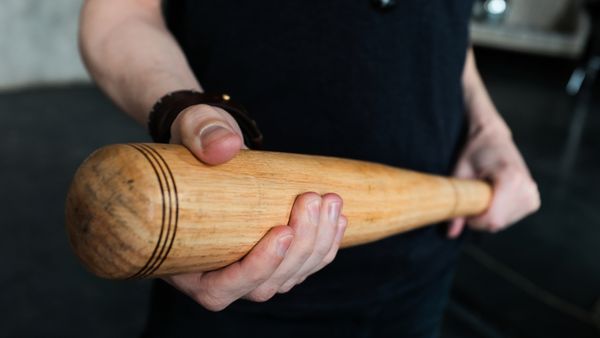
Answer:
(146, 210)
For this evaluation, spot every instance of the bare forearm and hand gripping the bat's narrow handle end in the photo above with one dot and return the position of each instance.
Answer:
(491, 154)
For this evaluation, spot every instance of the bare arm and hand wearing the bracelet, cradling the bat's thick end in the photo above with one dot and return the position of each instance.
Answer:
(134, 58)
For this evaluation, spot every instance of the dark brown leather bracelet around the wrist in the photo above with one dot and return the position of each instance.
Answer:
(166, 110)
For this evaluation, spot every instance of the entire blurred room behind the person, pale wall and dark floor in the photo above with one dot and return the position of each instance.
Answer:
(540, 278)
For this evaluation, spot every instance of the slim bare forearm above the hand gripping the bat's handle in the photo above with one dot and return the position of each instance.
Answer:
(480, 109)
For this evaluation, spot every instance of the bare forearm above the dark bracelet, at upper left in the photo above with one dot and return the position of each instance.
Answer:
(131, 55)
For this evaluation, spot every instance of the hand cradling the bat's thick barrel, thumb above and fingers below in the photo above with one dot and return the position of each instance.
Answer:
(286, 255)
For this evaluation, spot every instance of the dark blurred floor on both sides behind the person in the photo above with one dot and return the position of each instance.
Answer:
(541, 278)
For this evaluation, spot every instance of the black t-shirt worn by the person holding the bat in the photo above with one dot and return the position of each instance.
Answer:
(342, 78)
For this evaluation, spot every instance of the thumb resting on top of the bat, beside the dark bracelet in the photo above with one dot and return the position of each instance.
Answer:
(210, 133)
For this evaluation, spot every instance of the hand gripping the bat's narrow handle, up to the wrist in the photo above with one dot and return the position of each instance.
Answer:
(491, 154)
